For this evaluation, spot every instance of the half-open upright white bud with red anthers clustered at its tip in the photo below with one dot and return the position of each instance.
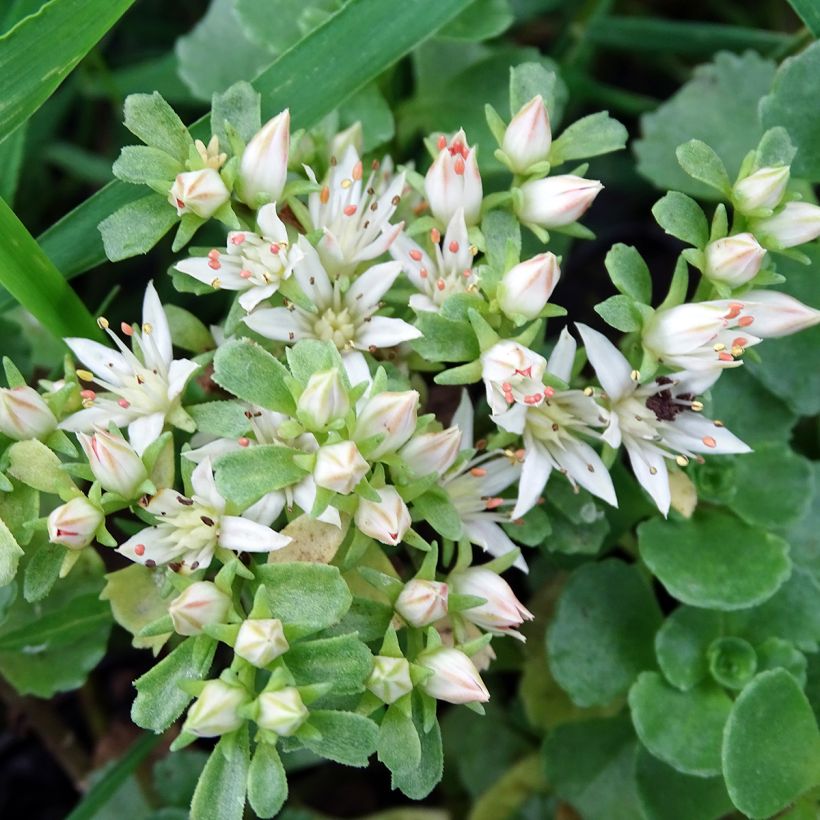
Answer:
(453, 181)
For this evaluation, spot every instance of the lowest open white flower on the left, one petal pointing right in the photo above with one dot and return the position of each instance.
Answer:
(190, 529)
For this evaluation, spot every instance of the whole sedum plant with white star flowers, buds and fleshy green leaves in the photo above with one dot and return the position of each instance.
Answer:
(324, 553)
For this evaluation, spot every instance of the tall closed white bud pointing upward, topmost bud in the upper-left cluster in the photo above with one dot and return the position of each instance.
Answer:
(263, 169)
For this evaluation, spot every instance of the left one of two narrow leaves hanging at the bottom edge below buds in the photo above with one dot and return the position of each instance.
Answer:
(223, 782)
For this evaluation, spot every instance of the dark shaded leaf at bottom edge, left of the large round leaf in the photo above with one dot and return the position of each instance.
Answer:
(667, 794)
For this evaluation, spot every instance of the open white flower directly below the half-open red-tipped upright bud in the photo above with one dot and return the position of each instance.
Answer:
(449, 271)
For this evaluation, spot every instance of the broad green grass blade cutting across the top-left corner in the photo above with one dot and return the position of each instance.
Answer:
(42, 50)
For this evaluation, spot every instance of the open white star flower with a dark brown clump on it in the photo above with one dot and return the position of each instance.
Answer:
(655, 421)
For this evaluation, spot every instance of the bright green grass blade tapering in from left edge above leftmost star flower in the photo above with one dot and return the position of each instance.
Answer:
(31, 278)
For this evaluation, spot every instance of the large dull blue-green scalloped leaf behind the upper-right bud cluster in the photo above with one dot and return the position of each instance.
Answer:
(718, 106)
